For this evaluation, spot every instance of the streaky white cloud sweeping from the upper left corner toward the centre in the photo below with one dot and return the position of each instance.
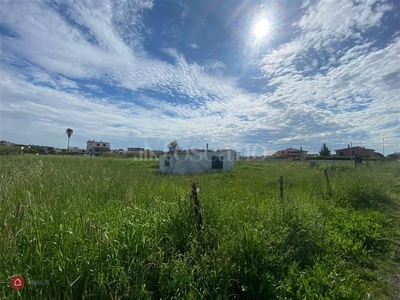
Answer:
(98, 52)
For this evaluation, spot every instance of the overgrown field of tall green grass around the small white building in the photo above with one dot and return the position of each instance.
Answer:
(99, 228)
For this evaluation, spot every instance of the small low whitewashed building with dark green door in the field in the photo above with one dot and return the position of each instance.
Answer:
(197, 161)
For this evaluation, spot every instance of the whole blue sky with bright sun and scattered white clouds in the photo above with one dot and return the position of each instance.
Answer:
(254, 76)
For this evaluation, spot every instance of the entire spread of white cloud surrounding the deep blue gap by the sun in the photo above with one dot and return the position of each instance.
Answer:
(314, 89)
